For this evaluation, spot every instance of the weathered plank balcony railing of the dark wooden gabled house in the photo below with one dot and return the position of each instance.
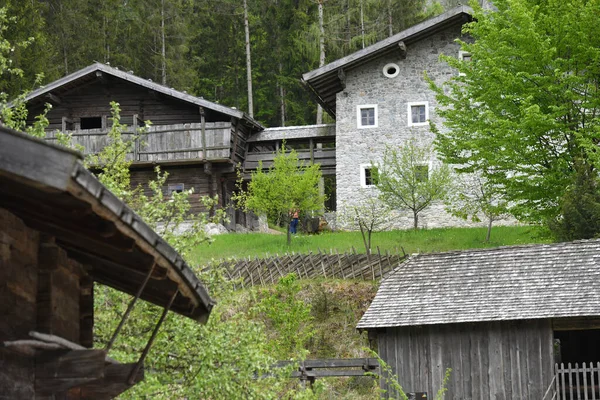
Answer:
(164, 142)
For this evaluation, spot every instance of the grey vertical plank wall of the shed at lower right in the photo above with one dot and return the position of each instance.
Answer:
(499, 360)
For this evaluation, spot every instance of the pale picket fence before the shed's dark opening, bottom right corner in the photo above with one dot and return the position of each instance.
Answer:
(575, 382)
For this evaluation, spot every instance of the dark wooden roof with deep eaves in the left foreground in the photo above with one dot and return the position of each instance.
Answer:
(49, 188)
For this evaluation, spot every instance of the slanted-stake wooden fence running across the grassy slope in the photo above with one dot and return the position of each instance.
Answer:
(332, 264)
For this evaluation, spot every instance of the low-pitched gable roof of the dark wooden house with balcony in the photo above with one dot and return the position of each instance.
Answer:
(91, 72)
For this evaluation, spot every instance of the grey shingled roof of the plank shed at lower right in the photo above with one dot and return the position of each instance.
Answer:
(506, 283)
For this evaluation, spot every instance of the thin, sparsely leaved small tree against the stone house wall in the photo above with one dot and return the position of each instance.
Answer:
(403, 183)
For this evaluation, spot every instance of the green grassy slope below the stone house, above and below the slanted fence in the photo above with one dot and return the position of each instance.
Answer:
(337, 305)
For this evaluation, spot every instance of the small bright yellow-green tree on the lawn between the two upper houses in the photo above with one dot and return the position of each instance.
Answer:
(285, 186)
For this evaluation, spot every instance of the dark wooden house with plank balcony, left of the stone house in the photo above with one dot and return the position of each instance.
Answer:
(198, 142)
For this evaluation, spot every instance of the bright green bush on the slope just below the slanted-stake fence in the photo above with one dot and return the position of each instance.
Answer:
(288, 318)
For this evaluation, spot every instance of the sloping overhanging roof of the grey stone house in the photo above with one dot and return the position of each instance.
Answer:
(325, 83)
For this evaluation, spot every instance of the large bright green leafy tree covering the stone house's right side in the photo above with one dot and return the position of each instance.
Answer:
(526, 108)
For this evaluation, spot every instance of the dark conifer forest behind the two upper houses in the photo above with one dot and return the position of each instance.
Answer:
(199, 46)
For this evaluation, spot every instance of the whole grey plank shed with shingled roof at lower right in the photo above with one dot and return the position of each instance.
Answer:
(518, 322)
